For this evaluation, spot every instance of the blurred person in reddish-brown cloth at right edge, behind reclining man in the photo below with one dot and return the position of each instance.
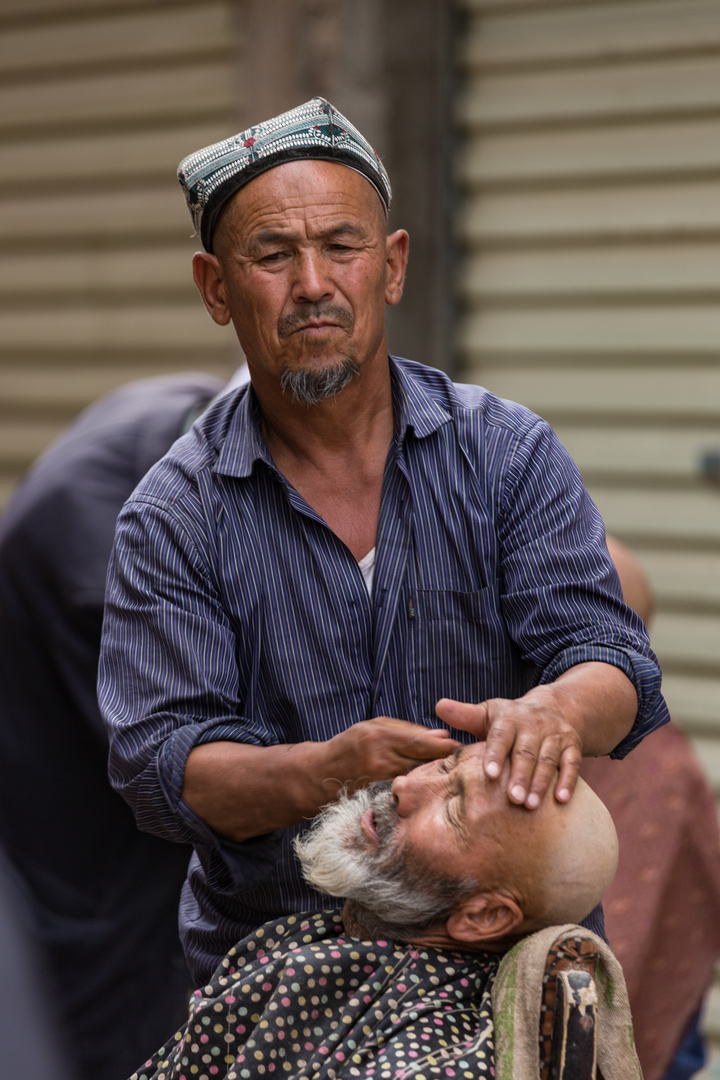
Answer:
(663, 909)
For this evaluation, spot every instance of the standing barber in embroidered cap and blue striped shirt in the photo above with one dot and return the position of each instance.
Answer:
(337, 558)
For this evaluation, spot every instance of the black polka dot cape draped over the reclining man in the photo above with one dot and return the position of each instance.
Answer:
(300, 998)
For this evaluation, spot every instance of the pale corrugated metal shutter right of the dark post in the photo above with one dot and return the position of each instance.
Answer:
(590, 166)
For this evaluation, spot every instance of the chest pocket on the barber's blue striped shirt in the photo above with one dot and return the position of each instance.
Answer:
(460, 649)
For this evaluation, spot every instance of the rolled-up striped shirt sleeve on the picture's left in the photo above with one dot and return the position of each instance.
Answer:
(168, 674)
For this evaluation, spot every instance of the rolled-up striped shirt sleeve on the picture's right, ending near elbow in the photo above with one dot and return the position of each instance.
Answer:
(562, 595)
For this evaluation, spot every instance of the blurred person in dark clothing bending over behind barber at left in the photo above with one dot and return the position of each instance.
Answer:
(101, 898)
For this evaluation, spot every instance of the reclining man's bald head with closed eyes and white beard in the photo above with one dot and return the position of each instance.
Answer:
(443, 858)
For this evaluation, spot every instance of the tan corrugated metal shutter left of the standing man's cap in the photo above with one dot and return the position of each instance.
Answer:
(99, 103)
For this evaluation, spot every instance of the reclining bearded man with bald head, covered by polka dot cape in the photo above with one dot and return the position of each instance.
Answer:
(443, 874)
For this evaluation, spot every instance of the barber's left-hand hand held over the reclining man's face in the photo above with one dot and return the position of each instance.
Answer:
(383, 749)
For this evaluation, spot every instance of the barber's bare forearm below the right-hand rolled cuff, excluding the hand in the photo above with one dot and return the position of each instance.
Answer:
(599, 699)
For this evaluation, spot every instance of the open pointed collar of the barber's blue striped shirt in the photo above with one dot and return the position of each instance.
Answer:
(416, 404)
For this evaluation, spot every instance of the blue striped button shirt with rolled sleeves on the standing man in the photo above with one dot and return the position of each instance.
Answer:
(234, 613)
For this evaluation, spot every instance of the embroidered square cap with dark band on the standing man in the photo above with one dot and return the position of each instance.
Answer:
(317, 130)
